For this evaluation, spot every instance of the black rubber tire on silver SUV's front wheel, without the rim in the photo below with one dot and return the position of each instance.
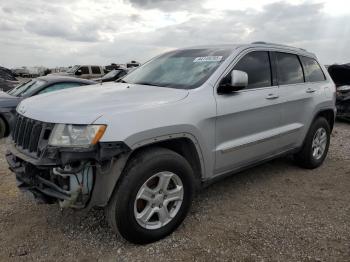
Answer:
(129, 188)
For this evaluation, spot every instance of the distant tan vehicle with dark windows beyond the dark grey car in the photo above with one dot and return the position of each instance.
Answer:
(84, 71)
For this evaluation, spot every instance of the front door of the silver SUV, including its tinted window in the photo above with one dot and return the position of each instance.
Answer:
(248, 121)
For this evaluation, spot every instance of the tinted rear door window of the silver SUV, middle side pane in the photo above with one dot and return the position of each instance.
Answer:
(289, 69)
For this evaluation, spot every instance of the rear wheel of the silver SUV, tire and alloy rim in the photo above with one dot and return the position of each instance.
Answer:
(307, 157)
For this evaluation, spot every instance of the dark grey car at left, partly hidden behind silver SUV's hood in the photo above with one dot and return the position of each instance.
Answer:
(40, 85)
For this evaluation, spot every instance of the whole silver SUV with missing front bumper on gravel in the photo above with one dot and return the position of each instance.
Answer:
(141, 147)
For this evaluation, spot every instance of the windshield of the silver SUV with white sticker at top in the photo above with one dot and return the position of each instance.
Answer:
(182, 69)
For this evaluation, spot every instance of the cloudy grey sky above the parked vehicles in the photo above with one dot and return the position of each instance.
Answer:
(69, 32)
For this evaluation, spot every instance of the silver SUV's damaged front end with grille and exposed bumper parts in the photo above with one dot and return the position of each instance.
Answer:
(74, 177)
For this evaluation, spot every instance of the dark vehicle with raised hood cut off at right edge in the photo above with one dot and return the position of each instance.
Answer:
(341, 77)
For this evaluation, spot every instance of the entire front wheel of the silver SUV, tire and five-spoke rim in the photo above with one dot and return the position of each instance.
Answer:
(149, 166)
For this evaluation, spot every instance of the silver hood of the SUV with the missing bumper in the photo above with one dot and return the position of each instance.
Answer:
(84, 105)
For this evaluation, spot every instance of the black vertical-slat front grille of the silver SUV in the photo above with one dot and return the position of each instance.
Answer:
(30, 135)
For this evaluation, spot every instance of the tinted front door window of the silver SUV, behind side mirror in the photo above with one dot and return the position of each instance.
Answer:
(257, 66)
